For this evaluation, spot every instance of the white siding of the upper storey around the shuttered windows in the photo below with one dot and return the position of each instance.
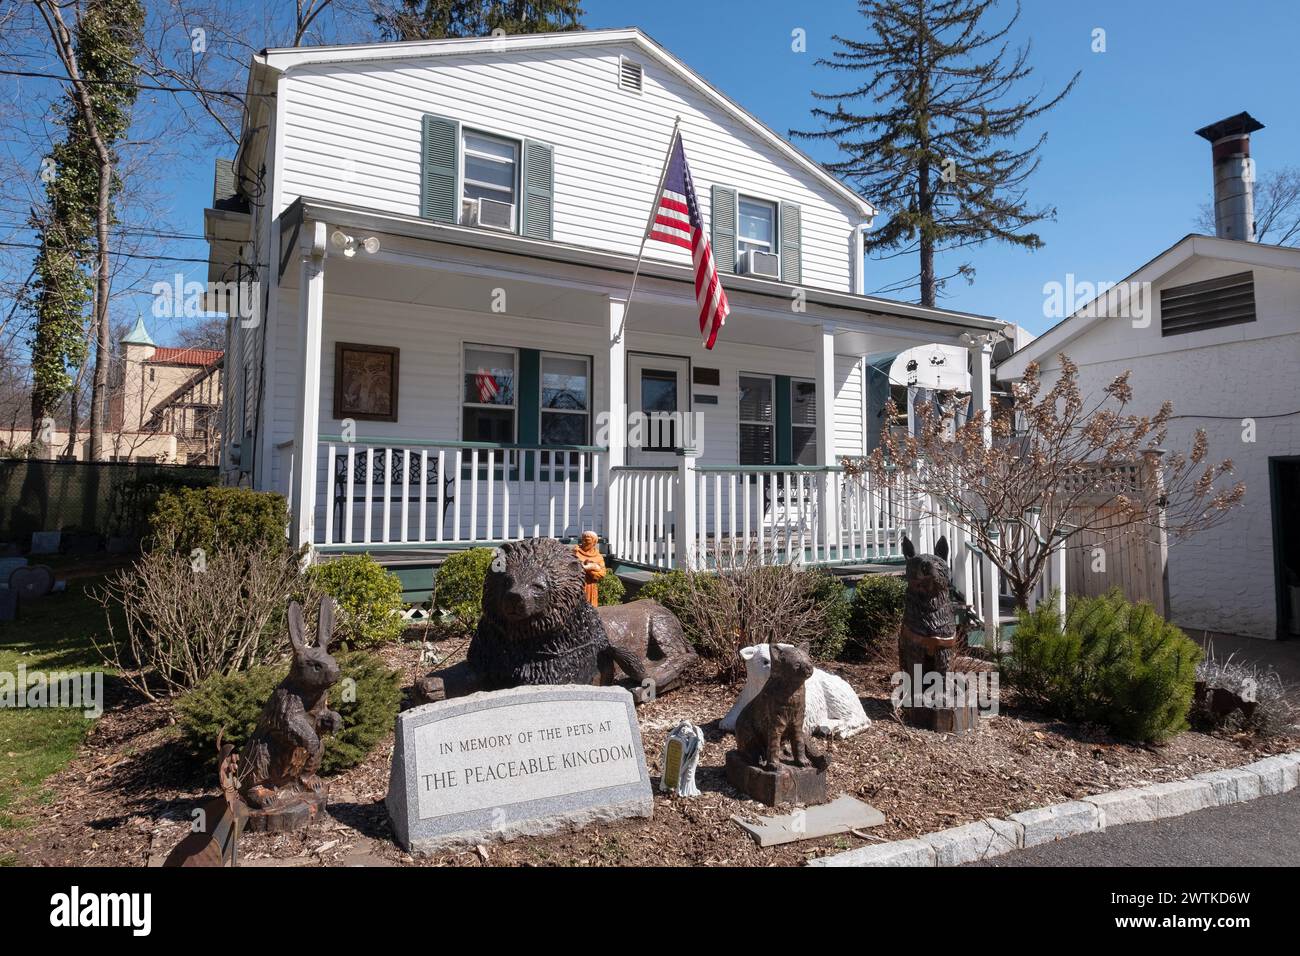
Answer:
(353, 135)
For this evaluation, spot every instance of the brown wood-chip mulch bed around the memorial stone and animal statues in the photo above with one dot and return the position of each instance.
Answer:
(127, 799)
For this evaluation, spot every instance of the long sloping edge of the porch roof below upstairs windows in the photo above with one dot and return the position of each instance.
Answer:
(842, 308)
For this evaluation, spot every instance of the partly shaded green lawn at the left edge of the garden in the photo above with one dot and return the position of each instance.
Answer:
(51, 635)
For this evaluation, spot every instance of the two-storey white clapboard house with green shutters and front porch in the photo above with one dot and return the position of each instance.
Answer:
(445, 233)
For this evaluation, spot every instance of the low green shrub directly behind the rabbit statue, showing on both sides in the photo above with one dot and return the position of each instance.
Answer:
(231, 706)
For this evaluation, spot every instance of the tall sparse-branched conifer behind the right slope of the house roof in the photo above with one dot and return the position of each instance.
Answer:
(928, 133)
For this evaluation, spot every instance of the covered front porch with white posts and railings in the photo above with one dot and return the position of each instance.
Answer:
(492, 339)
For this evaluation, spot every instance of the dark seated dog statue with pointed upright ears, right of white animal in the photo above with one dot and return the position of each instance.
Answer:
(929, 633)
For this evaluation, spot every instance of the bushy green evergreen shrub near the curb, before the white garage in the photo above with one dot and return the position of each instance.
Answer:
(1113, 663)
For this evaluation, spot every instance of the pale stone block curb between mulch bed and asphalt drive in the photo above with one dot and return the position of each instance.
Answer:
(991, 838)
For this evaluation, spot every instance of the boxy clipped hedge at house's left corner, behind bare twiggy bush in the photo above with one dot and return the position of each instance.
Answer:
(219, 517)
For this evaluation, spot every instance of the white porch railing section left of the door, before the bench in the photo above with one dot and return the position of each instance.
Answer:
(393, 492)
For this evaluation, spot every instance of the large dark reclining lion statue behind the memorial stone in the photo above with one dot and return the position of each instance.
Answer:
(539, 629)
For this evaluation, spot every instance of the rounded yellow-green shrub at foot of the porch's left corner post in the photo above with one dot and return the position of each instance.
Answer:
(369, 599)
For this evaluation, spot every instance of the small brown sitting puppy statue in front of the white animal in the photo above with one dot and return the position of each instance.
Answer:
(775, 717)
